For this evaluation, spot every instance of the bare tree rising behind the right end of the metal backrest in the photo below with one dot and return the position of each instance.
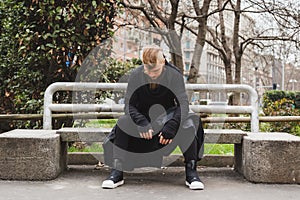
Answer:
(232, 48)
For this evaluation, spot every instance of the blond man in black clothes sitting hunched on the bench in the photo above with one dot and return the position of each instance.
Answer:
(156, 121)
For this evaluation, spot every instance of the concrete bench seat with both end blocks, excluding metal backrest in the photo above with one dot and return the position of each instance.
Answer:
(42, 154)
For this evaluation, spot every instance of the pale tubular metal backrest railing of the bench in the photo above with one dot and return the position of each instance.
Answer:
(49, 106)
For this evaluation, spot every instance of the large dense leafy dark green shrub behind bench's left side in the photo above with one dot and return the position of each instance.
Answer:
(35, 37)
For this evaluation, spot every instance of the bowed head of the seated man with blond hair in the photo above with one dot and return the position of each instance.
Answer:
(152, 55)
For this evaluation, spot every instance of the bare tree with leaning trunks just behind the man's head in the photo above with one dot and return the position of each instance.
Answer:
(174, 19)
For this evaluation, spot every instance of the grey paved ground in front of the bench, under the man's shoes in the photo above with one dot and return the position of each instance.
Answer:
(84, 183)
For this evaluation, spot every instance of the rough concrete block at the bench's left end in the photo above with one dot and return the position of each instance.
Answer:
(31, 155)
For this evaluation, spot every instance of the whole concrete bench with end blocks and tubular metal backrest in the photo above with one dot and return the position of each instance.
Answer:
(42, 154)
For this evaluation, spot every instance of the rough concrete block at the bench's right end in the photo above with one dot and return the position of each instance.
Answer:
(271, 158)
